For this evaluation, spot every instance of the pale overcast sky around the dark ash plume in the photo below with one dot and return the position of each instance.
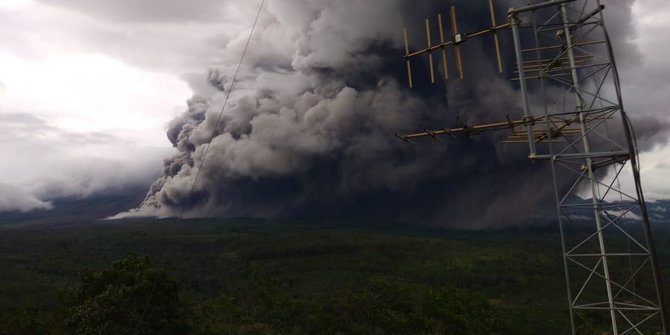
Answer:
(87, 88)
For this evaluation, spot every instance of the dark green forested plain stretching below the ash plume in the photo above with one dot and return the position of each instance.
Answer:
(262, 277)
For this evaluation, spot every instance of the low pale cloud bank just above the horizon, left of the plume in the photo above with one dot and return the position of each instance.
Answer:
(45, 162)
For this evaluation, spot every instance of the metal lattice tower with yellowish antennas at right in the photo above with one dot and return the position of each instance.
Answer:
(564, 58)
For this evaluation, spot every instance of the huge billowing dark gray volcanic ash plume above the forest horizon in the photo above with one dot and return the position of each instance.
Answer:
(308, 132)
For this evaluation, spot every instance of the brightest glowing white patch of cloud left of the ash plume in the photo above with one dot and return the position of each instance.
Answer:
(89, 92)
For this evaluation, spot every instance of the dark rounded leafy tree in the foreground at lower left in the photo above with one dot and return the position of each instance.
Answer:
(130, 297)
